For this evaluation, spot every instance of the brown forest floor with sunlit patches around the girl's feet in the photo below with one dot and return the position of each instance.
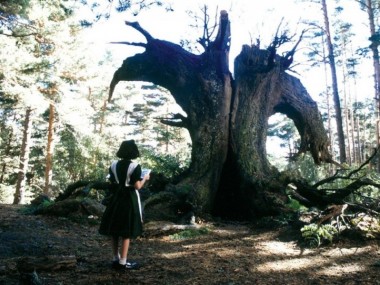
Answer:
(228, 253)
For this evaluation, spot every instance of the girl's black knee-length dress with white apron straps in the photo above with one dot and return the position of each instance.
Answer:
(123, 216)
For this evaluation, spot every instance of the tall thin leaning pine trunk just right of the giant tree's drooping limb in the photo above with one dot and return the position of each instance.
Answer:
(338, 110)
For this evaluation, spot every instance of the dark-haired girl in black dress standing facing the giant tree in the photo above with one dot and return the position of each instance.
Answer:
(123, 215)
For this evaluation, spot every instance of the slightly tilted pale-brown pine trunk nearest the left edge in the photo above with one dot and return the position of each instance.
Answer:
(19, 197)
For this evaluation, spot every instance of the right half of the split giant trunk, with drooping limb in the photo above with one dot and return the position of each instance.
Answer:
(256, 187)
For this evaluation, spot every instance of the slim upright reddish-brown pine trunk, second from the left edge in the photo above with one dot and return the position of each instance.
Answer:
(49, 150)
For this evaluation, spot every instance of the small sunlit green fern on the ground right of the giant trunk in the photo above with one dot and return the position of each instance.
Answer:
(314, 235)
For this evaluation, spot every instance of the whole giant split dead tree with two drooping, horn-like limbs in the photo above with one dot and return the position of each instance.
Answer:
(227, 118)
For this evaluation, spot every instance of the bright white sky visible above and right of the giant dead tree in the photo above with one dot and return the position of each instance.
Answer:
(250, 19)
